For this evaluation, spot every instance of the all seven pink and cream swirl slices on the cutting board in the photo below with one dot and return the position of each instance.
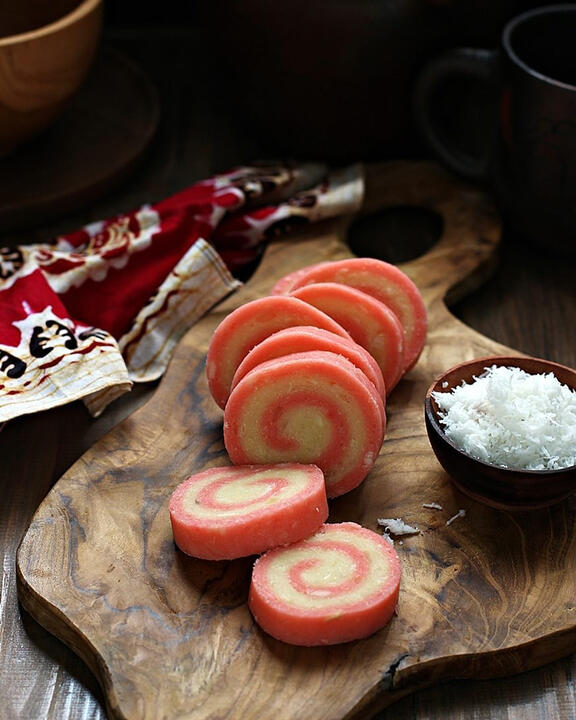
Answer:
(302, 376)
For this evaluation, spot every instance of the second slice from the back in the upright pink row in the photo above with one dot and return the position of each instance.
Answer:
(368, 321)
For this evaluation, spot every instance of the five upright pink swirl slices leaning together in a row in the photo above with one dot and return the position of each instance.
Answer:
(303, 374)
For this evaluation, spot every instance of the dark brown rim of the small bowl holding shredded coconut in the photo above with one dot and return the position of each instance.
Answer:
(499, 360)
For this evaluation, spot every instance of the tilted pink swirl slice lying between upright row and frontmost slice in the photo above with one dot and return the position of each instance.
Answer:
(230, 512)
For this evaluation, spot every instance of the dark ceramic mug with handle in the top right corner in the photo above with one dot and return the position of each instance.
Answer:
(528, 144)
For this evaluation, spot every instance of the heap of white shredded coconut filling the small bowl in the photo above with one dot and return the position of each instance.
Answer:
(512, 419)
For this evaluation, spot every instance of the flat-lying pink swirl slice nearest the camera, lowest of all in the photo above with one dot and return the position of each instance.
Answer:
(341, 584)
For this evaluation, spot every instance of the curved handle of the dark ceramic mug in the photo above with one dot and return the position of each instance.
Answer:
(473, 63)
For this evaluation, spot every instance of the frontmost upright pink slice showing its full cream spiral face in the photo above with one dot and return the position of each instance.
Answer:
(313, 407)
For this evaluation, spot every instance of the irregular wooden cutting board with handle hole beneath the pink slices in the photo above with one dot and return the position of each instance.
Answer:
(168, 636)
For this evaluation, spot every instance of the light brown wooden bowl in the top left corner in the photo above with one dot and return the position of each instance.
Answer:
(45, 51)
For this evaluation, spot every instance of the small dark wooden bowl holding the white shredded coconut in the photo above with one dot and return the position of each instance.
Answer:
(493, 485)
